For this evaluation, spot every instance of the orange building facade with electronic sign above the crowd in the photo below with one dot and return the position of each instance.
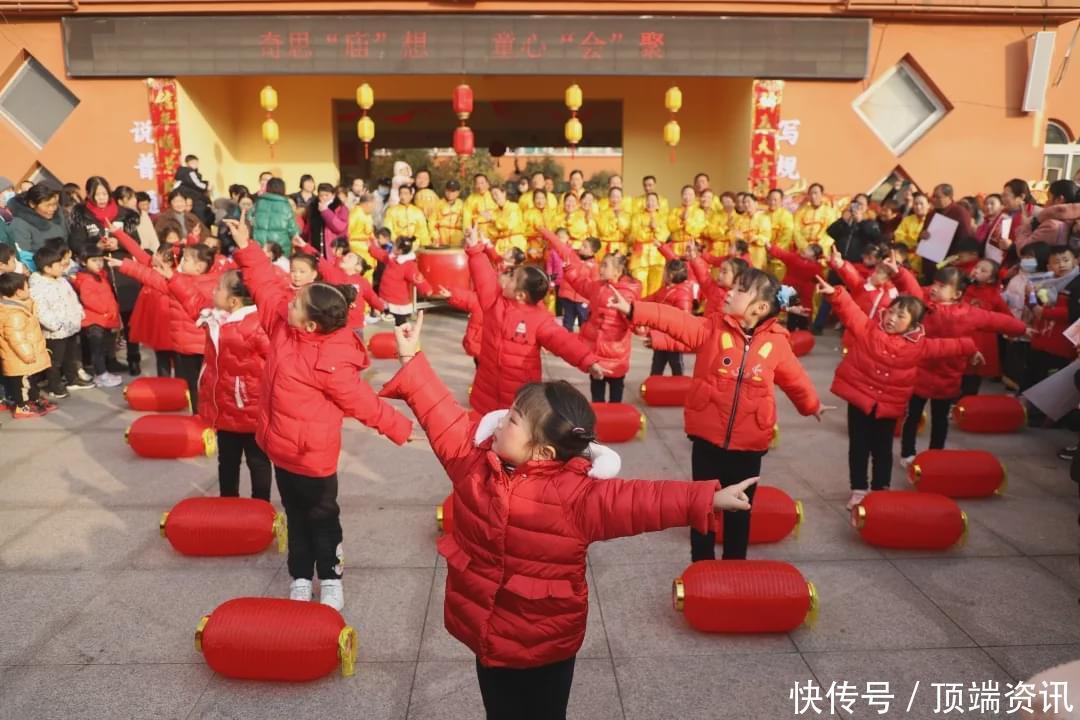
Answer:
(934, 92)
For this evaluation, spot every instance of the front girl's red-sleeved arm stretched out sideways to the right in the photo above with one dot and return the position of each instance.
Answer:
(605, 510)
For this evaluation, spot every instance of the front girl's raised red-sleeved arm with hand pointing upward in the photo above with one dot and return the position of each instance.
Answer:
(444, 422)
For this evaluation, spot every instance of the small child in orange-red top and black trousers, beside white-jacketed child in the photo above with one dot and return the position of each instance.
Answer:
(101, 315)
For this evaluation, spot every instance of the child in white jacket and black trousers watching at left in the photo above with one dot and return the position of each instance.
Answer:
(61, 316)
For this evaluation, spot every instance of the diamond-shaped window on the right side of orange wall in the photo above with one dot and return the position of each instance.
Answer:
(901, 107)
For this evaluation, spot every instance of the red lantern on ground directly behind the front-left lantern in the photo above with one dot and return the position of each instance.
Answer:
(213, 527)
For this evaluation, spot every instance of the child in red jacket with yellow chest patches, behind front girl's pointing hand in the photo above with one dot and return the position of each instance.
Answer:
(731, 411)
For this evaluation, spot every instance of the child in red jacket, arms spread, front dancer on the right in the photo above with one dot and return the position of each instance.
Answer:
(877, 375)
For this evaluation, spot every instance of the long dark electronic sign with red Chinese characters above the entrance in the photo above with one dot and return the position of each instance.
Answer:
(785, 48)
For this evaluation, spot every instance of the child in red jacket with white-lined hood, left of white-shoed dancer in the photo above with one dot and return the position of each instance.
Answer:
(231, 386)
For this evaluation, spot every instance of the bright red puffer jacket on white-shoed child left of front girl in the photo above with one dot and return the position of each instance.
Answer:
(312, 383)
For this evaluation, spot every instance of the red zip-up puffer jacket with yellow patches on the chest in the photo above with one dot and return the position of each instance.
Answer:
(732, 403)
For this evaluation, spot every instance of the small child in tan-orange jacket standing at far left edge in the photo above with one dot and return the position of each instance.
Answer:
(24, 356)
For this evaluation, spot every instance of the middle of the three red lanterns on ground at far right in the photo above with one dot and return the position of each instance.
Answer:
(958, 473)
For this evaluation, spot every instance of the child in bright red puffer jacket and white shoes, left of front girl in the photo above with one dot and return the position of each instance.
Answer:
(312, 383)
